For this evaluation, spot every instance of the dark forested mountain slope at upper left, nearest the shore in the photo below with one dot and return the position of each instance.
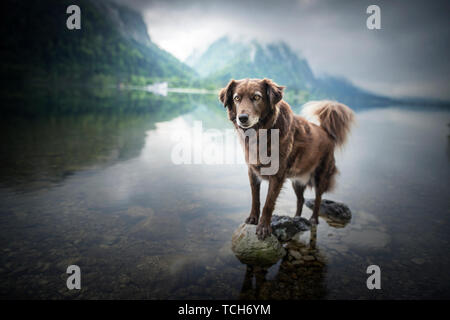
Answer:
(112, 44)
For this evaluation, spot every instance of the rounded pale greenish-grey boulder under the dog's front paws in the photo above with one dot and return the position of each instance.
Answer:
(250, 250)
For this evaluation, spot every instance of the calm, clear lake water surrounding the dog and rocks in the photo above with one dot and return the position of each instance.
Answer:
(88, 178)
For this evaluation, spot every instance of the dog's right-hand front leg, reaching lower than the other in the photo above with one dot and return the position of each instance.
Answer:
(263, 230)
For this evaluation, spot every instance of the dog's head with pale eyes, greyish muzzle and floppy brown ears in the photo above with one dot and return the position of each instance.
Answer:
(250, 101)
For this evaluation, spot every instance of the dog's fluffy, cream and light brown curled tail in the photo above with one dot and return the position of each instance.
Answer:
(336, 118)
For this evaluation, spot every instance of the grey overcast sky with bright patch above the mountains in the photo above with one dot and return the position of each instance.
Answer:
(409, 56)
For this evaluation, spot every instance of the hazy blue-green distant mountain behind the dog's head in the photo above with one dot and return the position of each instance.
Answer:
(226, 59)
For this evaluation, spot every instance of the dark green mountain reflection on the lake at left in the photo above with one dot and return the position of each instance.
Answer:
(46, 136)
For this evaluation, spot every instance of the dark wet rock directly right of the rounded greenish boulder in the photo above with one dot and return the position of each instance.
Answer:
(285, 228)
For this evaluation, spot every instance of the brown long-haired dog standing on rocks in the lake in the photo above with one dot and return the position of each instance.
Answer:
(306, 150)
